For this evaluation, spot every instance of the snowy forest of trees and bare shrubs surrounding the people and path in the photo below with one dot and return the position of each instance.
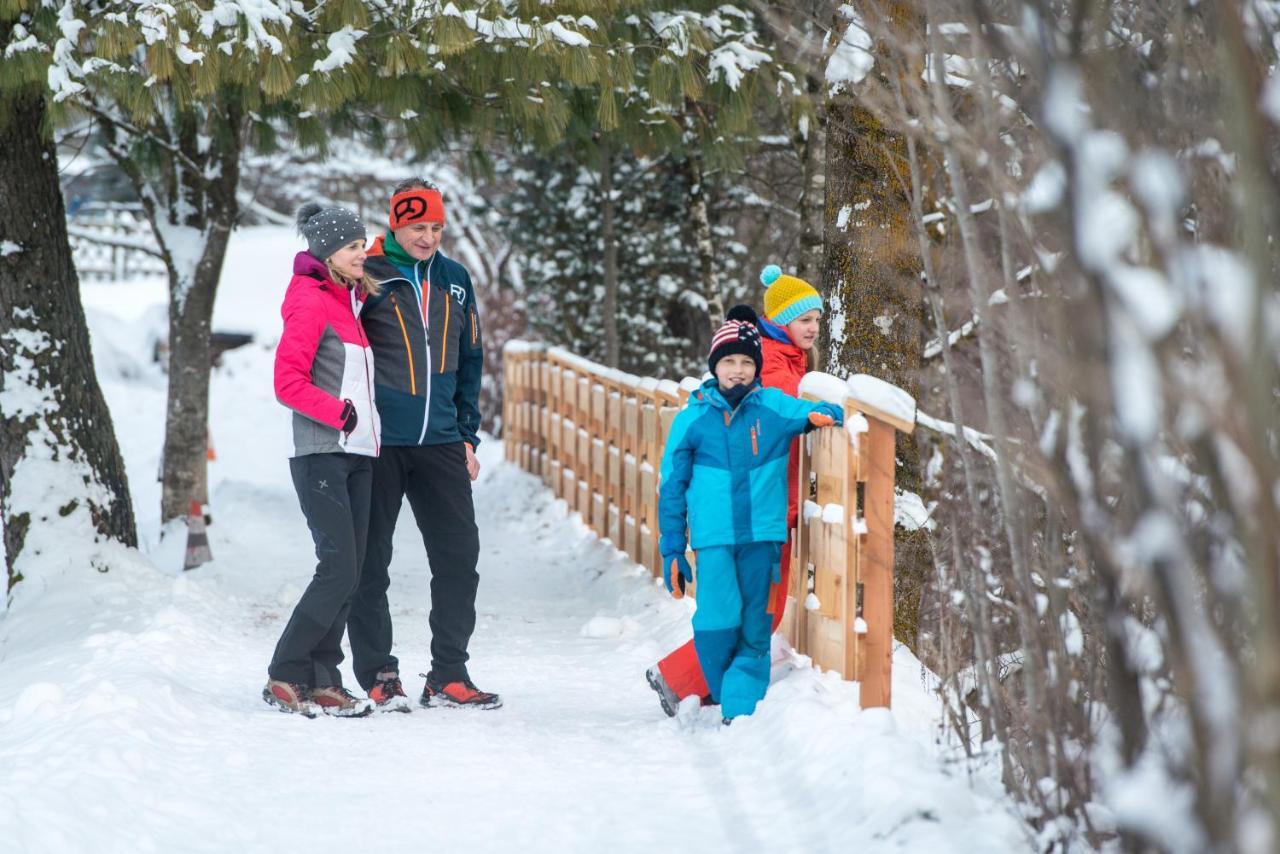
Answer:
(1050, 221)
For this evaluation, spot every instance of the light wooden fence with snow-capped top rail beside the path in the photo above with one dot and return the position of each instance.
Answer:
(596, 437)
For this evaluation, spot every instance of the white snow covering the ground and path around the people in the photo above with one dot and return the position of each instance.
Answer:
(131, 716)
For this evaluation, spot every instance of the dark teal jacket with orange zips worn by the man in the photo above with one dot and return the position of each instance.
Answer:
(426, 335)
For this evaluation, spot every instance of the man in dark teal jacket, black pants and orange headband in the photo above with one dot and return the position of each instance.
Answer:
(426, 336)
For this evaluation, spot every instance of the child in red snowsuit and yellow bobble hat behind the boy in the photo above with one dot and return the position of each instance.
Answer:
(793, 313)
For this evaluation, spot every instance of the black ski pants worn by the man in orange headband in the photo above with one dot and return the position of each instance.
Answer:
(435, 479)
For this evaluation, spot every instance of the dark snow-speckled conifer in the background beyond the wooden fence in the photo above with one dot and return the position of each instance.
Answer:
(552, 218)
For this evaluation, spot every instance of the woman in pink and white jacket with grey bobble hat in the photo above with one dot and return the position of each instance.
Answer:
(324, 373)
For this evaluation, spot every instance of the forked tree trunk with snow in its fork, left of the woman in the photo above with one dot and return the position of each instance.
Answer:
(193, 291)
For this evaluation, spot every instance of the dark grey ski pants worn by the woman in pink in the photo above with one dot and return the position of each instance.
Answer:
(333, 491)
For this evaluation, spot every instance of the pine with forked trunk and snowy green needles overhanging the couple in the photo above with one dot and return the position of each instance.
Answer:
(181, 90)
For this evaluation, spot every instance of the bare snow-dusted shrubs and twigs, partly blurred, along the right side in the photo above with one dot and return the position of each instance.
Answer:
(1094, 195)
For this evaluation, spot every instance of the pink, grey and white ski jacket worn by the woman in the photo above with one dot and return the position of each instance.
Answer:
(324, 360)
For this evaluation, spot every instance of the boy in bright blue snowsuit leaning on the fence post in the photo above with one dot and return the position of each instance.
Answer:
(725, 483)
